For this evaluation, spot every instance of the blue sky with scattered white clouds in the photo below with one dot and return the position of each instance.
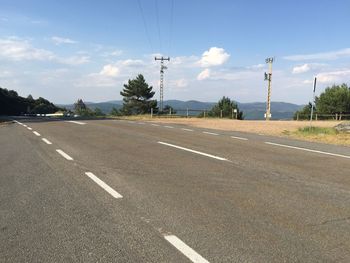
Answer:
(65, 50)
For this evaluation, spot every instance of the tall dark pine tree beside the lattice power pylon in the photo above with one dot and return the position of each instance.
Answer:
(137, 96)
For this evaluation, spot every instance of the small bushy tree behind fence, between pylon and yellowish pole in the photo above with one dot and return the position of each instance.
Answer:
(226, 106)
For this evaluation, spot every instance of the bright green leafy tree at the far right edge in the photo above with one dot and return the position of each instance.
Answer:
(335, 99)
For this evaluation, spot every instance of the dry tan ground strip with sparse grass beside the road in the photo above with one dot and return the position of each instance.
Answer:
(275, 128)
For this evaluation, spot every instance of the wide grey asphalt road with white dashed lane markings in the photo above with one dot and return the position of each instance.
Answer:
(129, 191)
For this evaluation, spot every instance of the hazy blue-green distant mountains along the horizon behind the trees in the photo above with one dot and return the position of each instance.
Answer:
(251, 111)
